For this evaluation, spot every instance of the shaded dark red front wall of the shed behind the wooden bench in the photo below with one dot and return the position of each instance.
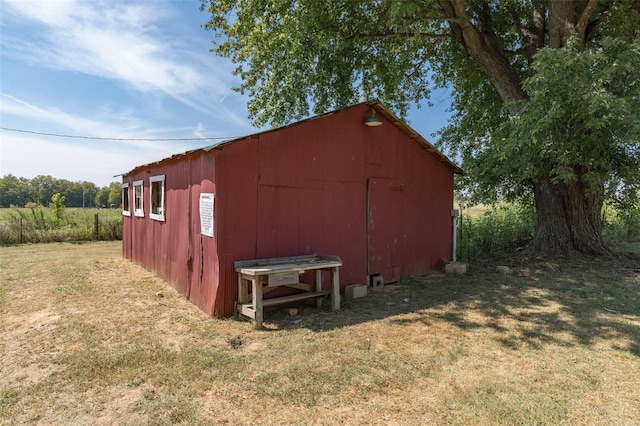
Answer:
(311, 197)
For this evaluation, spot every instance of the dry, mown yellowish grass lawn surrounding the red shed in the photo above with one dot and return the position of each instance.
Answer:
(88, 338)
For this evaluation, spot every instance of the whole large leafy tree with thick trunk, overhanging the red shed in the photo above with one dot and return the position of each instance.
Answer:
(546, 94)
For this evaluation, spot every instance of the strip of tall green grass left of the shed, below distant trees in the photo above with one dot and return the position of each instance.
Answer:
(37, 224)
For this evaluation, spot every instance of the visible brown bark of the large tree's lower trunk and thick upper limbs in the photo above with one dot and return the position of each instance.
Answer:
(568, 213)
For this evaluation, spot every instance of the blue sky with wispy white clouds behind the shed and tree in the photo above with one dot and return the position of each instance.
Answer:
(119, 69)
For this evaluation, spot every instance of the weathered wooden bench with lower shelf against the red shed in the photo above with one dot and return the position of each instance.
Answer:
(264, 275)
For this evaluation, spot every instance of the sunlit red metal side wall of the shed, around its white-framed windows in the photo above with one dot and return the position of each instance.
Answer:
(169, 248)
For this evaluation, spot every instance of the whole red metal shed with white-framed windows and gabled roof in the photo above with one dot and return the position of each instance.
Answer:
(379, 197)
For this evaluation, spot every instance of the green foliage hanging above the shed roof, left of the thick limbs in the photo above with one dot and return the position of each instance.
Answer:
(294, 56)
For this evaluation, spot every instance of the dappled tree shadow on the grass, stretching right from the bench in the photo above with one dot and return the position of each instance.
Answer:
(566, 303)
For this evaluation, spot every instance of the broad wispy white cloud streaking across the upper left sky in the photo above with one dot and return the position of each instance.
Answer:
(125, 42)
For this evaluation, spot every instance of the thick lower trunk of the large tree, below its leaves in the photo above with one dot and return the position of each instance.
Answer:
(568, 219)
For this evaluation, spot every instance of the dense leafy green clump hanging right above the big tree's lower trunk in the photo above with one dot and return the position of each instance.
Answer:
(589, 129)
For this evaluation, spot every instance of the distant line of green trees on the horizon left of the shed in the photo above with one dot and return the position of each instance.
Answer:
(22, 192)
